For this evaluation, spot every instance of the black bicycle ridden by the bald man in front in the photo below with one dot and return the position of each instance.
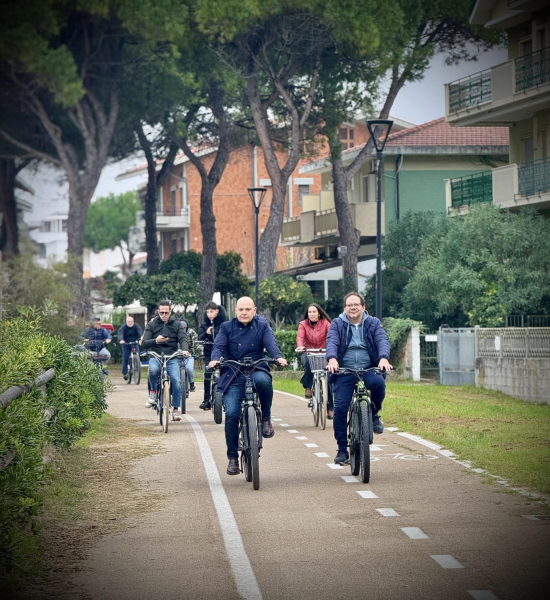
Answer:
(250, 423)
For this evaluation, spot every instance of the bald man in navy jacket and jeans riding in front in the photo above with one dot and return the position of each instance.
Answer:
(245, 336)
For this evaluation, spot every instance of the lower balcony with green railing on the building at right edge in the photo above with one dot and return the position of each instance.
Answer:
(511, 186)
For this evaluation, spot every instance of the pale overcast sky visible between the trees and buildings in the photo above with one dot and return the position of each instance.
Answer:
(417, 102)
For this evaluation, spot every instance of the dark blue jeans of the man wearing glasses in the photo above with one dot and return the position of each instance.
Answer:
(343, 386)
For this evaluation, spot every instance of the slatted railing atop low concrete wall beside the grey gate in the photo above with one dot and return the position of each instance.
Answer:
(511, 342)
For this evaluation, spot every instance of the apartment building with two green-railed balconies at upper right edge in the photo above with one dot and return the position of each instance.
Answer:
(514, 94)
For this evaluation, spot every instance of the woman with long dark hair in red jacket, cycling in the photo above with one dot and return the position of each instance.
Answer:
(312, 333)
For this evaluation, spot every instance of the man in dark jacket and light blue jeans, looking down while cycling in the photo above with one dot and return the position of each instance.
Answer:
(163, 334)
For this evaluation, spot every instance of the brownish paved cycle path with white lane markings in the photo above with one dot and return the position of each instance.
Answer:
(424, 528)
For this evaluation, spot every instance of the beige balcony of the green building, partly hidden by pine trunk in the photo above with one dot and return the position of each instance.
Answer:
(320, 227)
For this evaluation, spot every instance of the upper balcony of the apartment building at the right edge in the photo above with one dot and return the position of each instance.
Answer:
(509, 92)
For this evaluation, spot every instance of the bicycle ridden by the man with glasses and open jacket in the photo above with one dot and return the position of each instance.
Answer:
(360, 431)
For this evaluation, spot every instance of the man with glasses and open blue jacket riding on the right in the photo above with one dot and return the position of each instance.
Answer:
(356, 341)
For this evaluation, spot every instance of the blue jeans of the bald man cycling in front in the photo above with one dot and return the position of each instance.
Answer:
(232, 399)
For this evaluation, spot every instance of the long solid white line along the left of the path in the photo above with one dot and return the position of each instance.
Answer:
(243, 574)
